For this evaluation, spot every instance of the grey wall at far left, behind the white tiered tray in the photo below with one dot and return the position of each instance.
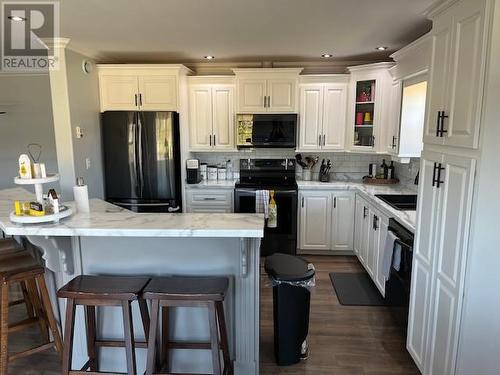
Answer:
(27, 101)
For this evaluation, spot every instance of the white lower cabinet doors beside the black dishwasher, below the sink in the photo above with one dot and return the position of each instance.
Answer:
(370, 233)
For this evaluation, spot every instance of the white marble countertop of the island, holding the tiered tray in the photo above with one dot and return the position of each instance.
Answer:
(108, 220)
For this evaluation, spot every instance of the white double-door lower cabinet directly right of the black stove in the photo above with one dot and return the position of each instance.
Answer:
(326, 220)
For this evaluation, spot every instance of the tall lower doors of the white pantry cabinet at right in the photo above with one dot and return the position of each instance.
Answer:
(445, 199)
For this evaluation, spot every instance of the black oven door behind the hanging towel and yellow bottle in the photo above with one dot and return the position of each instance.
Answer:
(283, 238)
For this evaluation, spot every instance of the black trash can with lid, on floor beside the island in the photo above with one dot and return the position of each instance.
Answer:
(292, 278)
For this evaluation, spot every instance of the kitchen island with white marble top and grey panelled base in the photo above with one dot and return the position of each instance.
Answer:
(112, 241)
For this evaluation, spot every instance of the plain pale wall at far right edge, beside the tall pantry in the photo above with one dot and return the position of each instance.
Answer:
(479, 351)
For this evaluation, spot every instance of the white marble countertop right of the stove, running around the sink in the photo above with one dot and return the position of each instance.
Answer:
(406, 218)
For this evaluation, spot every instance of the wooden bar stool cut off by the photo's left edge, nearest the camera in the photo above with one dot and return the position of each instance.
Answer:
(25, 269)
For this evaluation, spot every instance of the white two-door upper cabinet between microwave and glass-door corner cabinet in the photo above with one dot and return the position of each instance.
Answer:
(322, 113)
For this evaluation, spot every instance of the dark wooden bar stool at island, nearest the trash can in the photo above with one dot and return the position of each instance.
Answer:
(209, 292)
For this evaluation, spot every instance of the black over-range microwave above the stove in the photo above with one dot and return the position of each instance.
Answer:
(267, 130)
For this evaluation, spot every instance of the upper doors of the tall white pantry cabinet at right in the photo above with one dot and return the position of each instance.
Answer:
(457, 75)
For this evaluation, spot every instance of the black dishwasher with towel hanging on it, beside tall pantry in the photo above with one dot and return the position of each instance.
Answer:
(397, 287)
